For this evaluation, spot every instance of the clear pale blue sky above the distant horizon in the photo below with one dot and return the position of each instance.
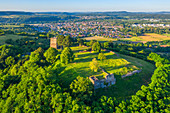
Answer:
(85, 5)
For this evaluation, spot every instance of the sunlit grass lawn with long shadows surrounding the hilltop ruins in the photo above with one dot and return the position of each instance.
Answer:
(115, 63)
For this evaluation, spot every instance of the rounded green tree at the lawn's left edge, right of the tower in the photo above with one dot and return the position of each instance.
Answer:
(67, 55)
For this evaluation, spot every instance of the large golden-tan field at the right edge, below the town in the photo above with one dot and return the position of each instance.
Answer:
(149, 37)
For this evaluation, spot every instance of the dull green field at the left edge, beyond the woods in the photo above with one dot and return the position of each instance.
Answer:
(9, 36)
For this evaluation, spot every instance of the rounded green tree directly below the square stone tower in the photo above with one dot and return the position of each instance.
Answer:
(51, 55)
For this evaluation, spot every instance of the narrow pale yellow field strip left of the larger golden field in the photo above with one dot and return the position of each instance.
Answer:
(99, 38)
